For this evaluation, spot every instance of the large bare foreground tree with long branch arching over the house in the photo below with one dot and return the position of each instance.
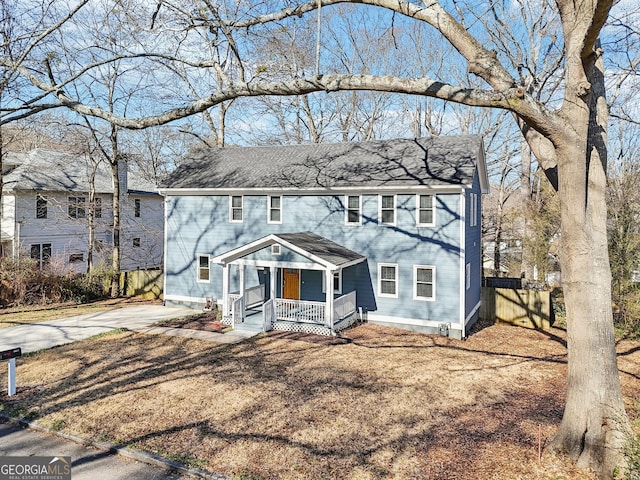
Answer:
(567, 133)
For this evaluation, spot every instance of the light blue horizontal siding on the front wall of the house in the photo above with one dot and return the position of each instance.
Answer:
(200, 225)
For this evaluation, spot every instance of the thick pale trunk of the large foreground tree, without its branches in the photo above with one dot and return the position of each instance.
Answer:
(594, 426)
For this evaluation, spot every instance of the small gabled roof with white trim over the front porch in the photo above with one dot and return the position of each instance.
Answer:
(319, 249)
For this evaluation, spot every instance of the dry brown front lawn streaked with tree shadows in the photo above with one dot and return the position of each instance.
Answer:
(379, 403)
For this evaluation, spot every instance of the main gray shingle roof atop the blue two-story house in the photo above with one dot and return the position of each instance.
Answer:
(424, 161)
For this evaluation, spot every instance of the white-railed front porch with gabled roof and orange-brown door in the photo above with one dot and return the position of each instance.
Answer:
(300, 284)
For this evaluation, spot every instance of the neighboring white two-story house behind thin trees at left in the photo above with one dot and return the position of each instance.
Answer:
(45, 212)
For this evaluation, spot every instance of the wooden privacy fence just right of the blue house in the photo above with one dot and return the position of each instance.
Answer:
(524, 308)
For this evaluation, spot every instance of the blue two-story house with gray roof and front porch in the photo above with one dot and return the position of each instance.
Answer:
(314, 237)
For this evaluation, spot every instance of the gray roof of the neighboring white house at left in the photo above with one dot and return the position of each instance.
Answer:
(45, 170)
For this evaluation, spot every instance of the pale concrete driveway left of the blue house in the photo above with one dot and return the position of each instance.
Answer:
(37, 336)
